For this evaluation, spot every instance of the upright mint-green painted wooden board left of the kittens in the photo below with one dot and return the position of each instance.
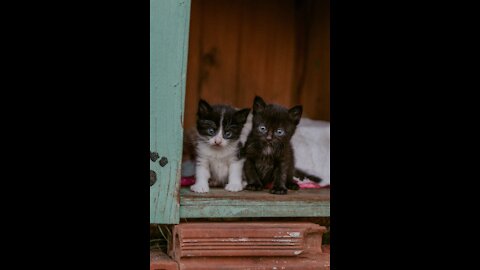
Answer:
(169, 24)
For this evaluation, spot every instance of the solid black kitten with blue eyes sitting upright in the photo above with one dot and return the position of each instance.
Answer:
(268, 152)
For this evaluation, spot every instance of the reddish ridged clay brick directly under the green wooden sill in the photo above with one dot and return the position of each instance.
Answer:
(247, 239)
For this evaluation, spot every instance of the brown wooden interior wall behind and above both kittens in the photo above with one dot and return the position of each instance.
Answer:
(278, 49)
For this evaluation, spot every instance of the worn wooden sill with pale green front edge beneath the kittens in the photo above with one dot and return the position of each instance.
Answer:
(221, 203)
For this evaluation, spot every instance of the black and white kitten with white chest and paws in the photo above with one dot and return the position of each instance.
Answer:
(218, 144)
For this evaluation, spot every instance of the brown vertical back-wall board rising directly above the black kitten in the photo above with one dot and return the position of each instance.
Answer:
(266, 53)
